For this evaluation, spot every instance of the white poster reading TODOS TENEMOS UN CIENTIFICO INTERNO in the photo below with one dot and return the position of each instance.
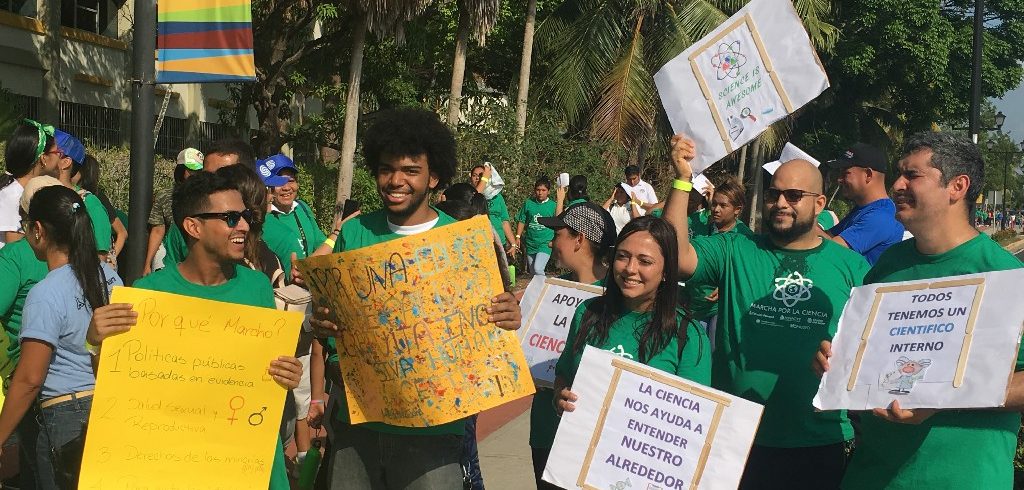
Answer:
(944, 343)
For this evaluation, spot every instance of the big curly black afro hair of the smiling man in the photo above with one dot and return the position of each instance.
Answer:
(411, 132)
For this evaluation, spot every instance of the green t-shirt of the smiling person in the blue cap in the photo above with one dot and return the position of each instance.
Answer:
(295, 232)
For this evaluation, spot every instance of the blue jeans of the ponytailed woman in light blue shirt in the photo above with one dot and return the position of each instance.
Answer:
(61, 424)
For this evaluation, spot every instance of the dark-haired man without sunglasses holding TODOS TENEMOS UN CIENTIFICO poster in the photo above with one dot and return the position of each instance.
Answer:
(941, 179)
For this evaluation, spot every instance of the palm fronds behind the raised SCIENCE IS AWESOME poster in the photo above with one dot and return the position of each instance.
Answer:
(605, 54)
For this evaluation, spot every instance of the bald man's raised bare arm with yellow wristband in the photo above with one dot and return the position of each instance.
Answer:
(684, 151)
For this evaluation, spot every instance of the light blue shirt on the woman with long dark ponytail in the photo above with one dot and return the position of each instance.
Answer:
(58, 314)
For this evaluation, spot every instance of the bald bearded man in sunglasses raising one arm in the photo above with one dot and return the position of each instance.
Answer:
(781, 294)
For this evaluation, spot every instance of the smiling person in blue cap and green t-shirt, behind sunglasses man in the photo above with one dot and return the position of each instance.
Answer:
(291, 228)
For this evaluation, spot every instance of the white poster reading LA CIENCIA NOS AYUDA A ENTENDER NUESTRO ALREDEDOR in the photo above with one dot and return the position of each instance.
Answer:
(638, 428)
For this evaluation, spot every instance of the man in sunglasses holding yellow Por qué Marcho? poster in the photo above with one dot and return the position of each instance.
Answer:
(209, 212)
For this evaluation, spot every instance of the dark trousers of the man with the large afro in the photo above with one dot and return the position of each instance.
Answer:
(367, 460)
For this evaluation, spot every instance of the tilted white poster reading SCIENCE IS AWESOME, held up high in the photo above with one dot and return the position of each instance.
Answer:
(752, 71)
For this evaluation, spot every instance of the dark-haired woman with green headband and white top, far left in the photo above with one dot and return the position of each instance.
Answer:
(31, 152)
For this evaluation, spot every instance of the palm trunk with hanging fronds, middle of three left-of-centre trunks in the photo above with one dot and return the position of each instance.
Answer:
(481, 17)
